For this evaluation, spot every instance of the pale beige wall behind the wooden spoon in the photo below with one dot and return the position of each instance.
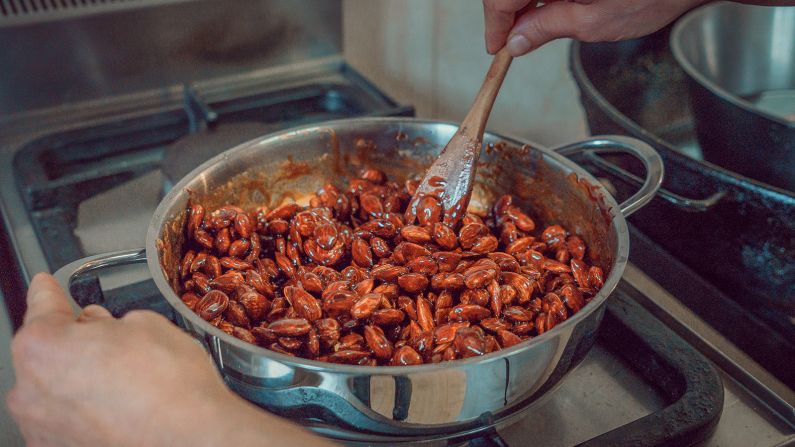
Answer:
(430, 53)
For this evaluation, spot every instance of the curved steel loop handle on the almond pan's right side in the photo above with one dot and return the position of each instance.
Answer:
(644, 152)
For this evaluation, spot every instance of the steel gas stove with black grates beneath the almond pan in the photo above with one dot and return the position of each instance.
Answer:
(658, 375)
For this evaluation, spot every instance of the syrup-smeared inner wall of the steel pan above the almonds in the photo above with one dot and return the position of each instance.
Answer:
(290, 167)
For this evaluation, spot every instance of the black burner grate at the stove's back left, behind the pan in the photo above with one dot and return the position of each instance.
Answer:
(56, 172)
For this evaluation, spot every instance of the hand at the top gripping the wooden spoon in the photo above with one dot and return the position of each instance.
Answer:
(523, 27)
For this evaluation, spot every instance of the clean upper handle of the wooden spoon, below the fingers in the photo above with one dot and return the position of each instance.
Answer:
(474, 123)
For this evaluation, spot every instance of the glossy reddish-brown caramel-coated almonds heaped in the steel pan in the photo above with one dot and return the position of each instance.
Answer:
(355, 279)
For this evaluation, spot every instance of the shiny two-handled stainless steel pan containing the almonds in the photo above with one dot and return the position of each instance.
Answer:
(354, 402)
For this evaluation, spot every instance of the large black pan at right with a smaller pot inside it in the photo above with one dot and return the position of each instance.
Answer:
(721, 243)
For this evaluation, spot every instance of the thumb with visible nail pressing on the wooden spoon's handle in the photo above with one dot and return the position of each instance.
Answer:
(552, 21)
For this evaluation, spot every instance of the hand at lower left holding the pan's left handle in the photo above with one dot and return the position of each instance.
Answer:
(138, 380)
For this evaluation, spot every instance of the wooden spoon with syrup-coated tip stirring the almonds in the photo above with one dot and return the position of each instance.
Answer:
(451, 176)
